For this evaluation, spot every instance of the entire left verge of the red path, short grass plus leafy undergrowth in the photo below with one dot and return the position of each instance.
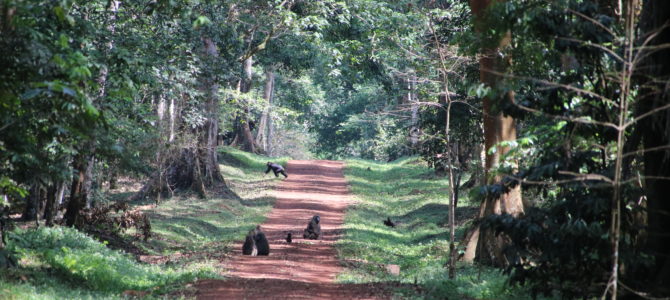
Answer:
(190, 237)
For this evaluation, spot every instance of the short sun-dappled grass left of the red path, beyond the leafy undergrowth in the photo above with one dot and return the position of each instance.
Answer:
(191, 229)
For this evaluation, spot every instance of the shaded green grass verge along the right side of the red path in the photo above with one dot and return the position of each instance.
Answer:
(409, 192)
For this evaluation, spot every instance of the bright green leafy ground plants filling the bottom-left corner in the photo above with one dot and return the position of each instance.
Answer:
(50, 257)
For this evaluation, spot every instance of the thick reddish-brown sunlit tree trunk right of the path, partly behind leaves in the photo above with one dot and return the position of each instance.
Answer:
(484, 245)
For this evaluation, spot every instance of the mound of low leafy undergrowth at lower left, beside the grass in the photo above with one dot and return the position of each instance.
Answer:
(78, 258)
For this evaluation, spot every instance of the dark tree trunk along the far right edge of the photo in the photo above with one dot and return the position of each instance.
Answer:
(654, 73)
